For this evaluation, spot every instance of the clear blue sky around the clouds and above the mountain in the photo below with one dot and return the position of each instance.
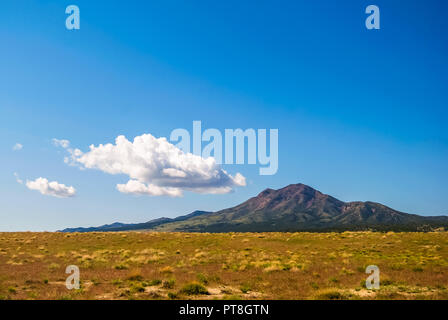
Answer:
(361, 113)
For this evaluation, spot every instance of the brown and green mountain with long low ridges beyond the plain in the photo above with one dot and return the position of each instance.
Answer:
(296, 207)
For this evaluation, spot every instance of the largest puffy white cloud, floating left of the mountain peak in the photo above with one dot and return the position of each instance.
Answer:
(156, 167)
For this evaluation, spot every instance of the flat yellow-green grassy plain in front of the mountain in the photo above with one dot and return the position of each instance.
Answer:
(139, 265)
